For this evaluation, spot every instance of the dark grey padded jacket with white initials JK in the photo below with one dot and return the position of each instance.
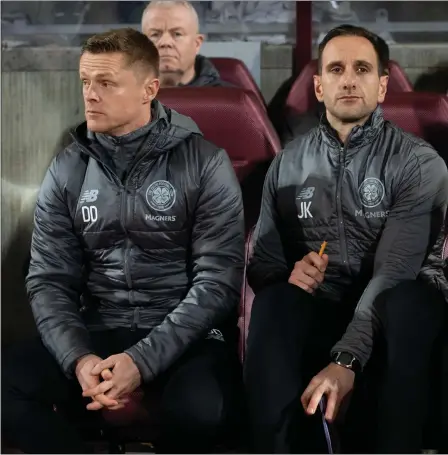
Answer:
(379, 201)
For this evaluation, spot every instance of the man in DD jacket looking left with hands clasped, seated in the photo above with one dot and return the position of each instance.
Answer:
(136, 267)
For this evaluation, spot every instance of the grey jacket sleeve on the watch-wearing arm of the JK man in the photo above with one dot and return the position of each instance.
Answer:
(413, 225)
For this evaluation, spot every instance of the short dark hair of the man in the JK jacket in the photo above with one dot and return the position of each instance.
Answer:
(380, 46)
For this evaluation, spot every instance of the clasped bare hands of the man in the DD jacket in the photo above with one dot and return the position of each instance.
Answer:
(120, 378)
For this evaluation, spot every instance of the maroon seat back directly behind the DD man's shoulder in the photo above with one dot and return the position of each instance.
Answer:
(233, 119)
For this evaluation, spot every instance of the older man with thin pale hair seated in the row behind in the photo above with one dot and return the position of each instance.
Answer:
(173, 26)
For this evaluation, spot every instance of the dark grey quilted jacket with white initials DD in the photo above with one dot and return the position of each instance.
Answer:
(141, 231)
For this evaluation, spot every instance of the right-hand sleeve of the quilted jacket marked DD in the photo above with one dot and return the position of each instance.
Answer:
(217, 252)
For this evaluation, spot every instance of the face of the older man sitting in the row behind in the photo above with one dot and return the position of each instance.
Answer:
(174, 31)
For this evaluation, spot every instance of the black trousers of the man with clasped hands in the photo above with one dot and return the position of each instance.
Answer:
(198, 395)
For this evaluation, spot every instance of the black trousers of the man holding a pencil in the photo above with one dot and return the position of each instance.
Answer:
(290, 337)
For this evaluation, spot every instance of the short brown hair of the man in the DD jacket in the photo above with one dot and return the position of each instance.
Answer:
(137, 47)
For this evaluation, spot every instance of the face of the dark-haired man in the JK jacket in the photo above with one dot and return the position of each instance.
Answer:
(349, 84)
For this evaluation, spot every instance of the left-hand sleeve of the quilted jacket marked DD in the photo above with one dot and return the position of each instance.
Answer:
(54, 281)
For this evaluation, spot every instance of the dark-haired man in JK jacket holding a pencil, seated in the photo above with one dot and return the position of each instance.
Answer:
(366, 311)
